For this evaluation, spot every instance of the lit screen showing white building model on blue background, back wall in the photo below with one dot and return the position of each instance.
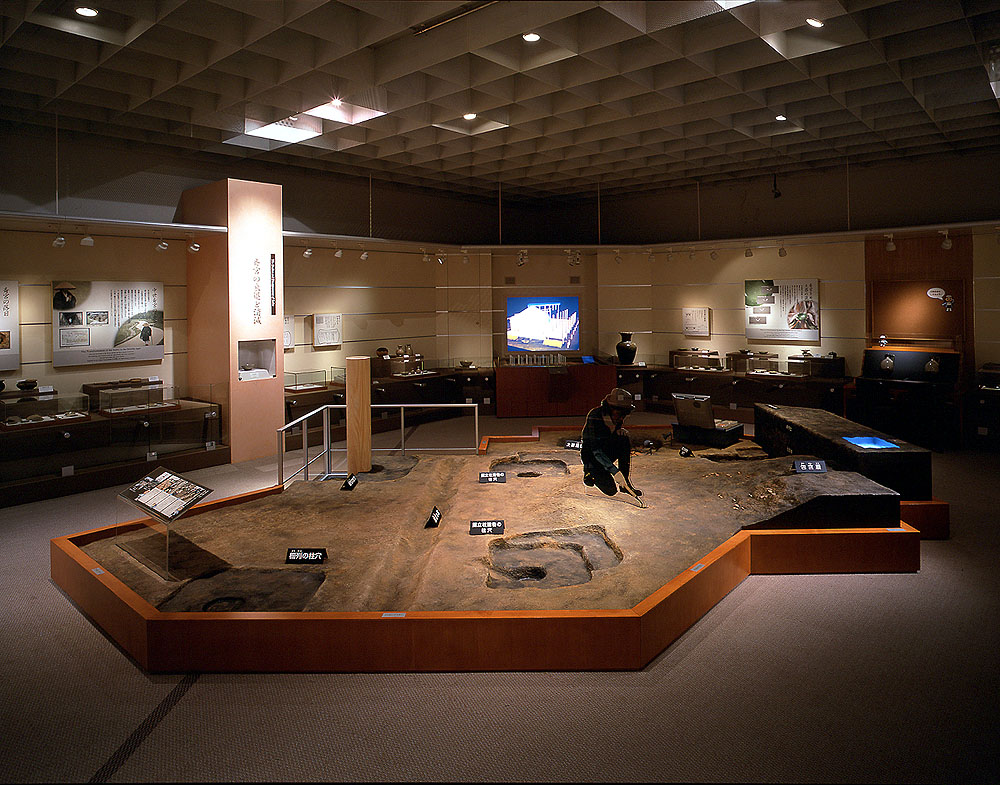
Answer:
(543, 324)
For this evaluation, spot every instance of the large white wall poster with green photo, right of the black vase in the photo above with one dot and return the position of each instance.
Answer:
(782, 310)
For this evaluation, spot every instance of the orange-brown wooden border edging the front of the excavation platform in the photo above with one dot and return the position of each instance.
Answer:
(428, 641)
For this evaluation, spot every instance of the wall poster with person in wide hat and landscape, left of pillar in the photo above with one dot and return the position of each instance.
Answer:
(106, 322)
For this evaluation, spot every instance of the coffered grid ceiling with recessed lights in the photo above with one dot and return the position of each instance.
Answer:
(628, 95)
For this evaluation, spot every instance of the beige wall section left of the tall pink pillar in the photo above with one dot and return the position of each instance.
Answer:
(30, 259)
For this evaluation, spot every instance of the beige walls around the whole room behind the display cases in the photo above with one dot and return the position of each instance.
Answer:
(457, 310)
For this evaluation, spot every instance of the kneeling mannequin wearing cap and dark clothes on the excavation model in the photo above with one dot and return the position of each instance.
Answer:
(606, 448)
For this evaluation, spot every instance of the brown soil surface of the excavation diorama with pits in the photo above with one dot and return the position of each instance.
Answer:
(565, 545)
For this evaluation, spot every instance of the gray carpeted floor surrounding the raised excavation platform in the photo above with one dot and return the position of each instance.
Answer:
(873, 678)
